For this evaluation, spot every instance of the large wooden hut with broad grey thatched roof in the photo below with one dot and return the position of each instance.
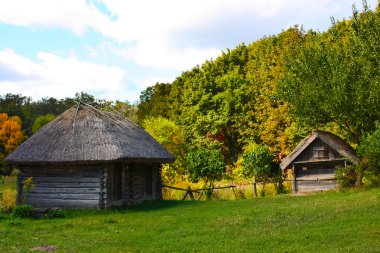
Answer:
(87, 158)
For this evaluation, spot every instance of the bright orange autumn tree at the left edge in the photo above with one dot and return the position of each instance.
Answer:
(11, 136)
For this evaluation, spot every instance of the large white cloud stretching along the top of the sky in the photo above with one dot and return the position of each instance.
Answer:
(151, 26)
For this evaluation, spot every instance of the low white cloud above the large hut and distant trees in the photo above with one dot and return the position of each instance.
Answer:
(58, 77)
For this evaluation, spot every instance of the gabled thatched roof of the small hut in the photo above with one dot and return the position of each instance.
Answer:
(334, 141)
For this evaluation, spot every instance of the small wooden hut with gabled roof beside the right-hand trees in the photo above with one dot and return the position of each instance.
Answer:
(314, 160)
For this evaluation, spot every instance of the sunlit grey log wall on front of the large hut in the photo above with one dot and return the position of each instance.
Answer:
(67, 187)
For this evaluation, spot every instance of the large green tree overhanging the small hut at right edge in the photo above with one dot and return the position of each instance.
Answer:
(336, 77)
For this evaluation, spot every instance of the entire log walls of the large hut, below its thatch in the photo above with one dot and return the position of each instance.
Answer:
(91, 186)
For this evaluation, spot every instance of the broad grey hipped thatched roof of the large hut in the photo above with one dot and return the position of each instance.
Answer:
(83, 134)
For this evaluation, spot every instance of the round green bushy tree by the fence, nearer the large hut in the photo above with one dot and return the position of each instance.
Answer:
(206, 165)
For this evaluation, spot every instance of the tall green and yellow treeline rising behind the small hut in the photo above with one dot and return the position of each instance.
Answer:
(274, 92)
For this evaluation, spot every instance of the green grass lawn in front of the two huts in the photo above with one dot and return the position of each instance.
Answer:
(324, 222)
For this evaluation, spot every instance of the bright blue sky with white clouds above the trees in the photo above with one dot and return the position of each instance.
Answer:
(114, 49)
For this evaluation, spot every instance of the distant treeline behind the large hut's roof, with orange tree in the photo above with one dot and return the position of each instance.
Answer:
(20, 117)
